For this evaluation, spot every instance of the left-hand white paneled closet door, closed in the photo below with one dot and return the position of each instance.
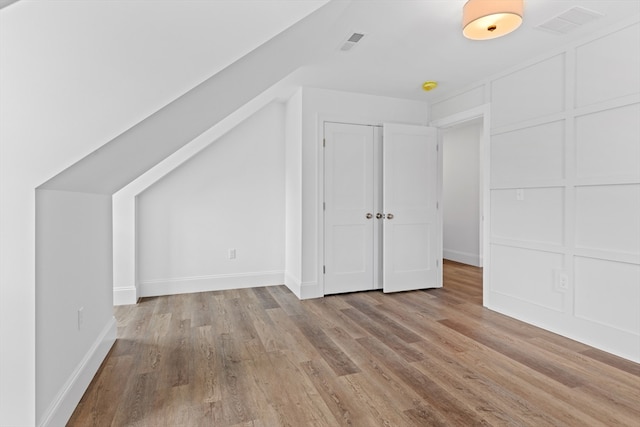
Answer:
(351, 195)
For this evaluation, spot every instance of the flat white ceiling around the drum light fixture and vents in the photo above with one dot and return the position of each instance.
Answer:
(409, 41)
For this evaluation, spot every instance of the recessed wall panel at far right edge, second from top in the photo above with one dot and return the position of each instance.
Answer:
(608, 143)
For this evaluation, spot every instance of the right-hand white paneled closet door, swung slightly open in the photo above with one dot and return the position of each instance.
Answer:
(412, 250)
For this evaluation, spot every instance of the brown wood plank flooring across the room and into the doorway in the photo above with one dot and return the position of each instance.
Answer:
(260, 357)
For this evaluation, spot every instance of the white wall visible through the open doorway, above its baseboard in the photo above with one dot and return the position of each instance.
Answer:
(461, 193)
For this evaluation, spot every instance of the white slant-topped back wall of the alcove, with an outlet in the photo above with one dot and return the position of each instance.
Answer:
(229, 196)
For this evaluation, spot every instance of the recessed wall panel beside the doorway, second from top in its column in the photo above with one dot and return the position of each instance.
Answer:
(531, 154)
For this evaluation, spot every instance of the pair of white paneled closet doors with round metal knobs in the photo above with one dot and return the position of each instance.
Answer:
(382, 225)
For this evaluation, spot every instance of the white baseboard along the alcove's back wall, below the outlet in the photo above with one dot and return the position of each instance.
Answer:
(185, 285)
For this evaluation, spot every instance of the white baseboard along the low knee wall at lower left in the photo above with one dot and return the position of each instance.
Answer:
(67, 399)
